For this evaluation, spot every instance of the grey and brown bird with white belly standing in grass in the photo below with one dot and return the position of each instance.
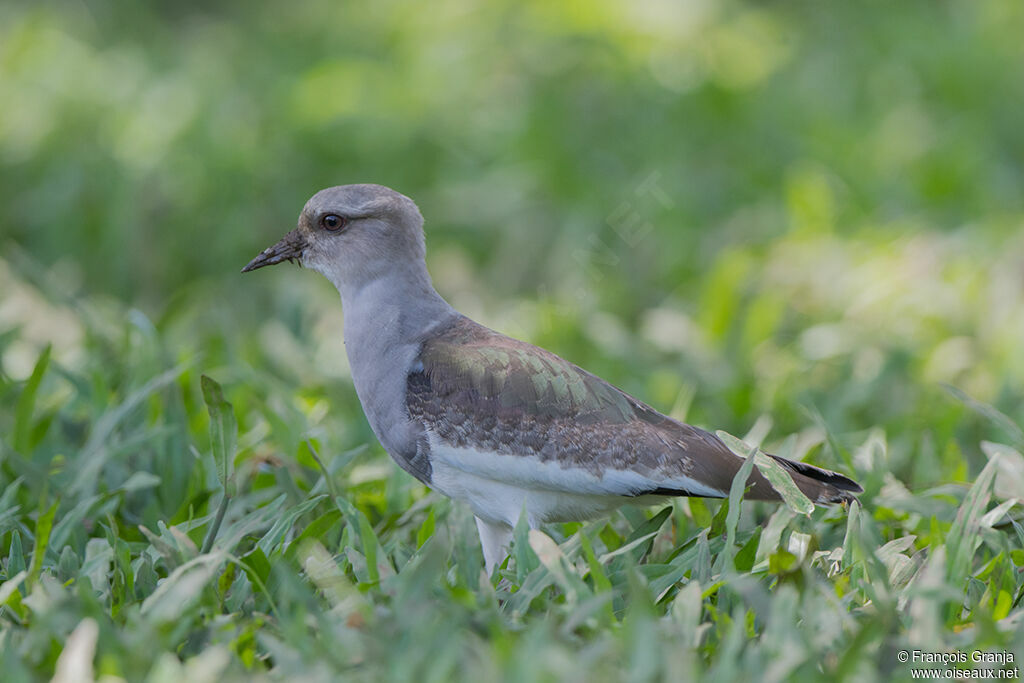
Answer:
(505, 426)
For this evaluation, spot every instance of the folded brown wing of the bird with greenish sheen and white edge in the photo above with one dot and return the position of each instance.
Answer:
(477, 389)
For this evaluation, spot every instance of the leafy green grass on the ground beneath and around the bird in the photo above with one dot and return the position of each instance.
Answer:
(129, 507)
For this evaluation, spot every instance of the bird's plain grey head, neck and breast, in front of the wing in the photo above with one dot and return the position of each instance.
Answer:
(368, 241)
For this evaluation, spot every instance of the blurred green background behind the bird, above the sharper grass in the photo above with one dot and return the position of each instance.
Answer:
(732, 207)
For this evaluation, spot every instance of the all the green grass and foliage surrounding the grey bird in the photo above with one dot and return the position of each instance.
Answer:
(805, 210)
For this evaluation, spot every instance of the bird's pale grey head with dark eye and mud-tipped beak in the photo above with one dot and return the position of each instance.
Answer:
(353, 235)
